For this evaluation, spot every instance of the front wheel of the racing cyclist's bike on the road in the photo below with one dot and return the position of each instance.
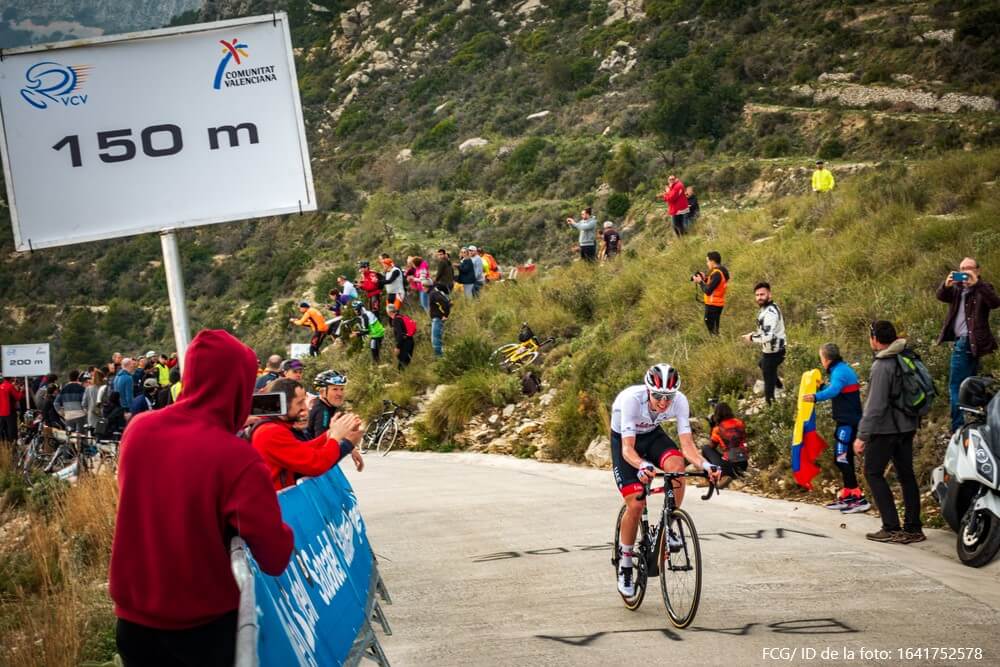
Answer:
(680, 569)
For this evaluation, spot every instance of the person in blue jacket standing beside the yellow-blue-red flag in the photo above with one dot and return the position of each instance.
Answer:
(844, 394)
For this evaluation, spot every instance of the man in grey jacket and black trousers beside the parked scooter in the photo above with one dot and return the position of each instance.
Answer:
(886, 434)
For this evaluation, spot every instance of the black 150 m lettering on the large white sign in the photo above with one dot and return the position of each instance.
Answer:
(155, 141)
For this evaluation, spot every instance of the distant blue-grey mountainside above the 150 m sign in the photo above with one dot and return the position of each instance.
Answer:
(112, 16)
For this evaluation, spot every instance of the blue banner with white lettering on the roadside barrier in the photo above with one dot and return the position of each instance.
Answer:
(314, 613)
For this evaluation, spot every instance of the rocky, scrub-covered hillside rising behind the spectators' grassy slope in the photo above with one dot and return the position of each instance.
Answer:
(634, 90)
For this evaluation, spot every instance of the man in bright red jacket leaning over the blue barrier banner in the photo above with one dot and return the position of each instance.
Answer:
(290, 453)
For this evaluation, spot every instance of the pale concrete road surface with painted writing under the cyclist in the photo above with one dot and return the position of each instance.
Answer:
(498, 561)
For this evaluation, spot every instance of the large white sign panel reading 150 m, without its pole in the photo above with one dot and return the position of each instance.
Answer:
(168, 128)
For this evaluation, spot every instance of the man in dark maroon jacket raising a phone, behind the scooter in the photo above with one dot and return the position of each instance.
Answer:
(970, 301)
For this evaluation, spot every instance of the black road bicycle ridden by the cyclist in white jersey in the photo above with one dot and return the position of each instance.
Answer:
(678, 565)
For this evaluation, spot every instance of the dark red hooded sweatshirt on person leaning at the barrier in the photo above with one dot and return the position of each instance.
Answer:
(186, 485)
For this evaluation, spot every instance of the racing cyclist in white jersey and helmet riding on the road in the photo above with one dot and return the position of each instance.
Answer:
(639, 445)
